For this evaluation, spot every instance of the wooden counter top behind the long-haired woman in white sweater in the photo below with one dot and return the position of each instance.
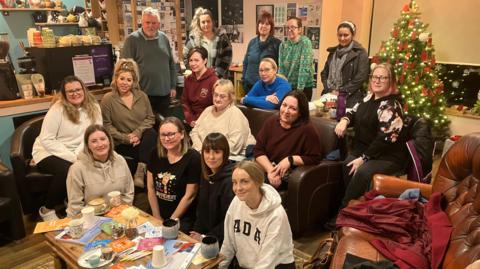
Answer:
(19, 106)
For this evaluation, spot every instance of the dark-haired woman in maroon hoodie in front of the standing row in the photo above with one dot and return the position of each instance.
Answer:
(197, 93)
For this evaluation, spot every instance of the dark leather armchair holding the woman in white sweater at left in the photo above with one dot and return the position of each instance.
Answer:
(30, 182)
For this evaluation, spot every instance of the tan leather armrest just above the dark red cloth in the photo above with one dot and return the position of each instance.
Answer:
(391, 186)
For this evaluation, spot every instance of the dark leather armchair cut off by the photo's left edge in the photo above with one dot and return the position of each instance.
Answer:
(10, 209)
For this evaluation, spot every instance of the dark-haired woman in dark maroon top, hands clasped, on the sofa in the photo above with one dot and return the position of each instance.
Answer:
(287, 140)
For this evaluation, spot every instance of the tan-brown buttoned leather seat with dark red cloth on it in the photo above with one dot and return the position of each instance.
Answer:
(457, 179)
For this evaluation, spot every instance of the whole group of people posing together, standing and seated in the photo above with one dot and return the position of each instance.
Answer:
(195, 169)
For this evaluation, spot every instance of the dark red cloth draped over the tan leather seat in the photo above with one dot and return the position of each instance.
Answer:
(409, 225)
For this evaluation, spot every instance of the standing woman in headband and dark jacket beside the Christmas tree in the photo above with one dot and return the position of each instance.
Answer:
(346, 69)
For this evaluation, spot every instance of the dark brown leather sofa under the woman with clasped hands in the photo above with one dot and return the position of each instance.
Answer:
(312, 190)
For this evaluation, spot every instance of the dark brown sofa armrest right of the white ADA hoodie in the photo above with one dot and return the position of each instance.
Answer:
(312, 194)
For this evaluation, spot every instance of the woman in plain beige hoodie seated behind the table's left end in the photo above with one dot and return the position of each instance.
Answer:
(98, 171)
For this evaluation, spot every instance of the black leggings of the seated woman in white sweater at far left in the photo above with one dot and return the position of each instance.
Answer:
(57, 191)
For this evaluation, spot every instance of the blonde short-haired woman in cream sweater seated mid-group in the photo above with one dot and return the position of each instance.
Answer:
(225, 118)
